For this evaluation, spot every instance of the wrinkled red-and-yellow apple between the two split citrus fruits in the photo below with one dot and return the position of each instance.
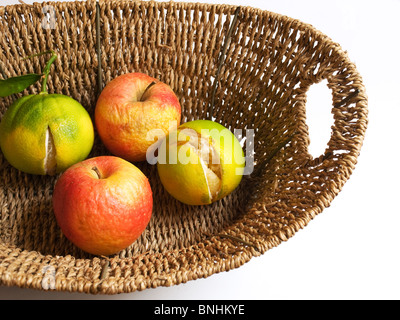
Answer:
(129, 108)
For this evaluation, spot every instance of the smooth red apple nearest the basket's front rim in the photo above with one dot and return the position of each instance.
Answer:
(103, 204)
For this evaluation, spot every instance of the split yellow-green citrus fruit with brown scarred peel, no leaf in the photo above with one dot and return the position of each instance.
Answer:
(201, 162)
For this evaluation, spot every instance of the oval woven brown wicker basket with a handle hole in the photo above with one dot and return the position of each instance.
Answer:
(248, 68)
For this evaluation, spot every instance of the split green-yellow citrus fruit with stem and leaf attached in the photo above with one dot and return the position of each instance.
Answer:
(45, 134)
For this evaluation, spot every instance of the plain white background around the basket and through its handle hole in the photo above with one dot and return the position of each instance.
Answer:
(350, 250)
